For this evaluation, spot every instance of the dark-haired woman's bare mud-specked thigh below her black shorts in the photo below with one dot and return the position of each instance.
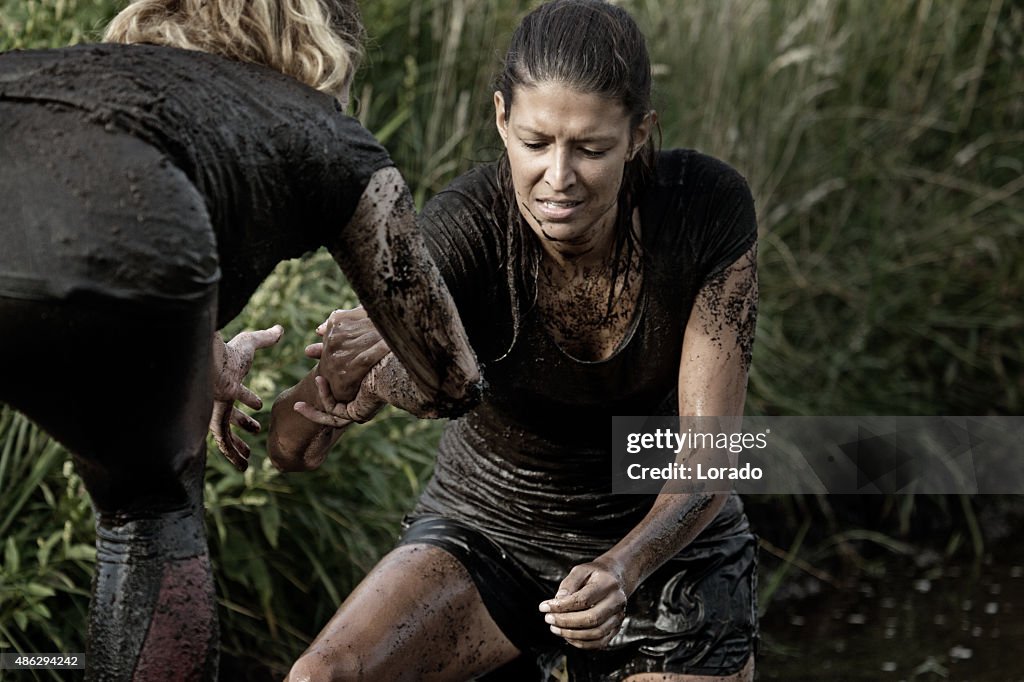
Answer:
(417, 616)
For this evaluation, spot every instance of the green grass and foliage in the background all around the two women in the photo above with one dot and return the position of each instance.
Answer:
(885, 147)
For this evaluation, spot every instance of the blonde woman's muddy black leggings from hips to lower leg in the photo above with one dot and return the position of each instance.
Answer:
(108, 304)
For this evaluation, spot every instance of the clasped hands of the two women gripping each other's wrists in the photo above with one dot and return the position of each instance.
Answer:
(352, 348)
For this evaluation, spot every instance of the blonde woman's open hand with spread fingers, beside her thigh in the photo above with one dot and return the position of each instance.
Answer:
(232, 363)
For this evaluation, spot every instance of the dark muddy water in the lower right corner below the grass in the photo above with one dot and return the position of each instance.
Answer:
(920, 620)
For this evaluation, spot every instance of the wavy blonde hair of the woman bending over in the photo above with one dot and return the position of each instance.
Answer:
(318, 42)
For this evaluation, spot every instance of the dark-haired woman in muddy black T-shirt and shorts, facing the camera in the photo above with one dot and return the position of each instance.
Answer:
(596, 277)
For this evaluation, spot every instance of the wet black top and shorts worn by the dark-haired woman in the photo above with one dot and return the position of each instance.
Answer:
(530, 468)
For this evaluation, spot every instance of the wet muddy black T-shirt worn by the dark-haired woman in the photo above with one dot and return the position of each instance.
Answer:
(532, 465)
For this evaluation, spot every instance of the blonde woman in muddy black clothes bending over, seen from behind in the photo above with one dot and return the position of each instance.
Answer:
(147, 190)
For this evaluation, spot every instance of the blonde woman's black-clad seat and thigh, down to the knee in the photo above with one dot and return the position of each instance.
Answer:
(108, 302)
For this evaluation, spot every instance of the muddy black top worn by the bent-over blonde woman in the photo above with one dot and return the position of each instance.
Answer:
(281, 168)
